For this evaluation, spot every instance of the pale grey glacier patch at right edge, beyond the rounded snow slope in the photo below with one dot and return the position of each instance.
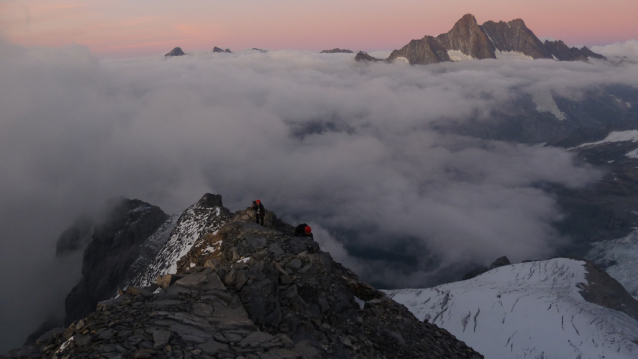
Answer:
(619, 258)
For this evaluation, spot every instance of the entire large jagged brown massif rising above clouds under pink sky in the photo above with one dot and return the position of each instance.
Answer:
(486, 42)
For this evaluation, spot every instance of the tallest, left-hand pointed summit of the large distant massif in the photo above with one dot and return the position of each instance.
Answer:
(468, 37)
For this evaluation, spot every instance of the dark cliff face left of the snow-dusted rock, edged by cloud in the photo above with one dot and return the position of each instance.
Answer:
(113, 248)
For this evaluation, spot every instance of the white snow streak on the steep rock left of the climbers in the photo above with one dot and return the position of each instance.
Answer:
(193, 223)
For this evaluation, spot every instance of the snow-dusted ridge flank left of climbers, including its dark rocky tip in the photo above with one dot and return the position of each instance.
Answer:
(204, 217)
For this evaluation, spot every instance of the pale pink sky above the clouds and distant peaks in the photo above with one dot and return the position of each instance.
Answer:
(129, 28)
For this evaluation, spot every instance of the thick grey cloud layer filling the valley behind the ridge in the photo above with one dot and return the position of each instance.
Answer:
(346, 147)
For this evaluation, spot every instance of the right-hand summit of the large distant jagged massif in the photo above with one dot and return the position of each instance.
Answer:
(515, 36)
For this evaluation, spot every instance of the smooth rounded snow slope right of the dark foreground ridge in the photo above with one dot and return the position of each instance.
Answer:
(529, 310)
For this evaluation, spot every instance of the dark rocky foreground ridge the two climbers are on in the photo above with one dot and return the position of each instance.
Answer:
(249, 291)
